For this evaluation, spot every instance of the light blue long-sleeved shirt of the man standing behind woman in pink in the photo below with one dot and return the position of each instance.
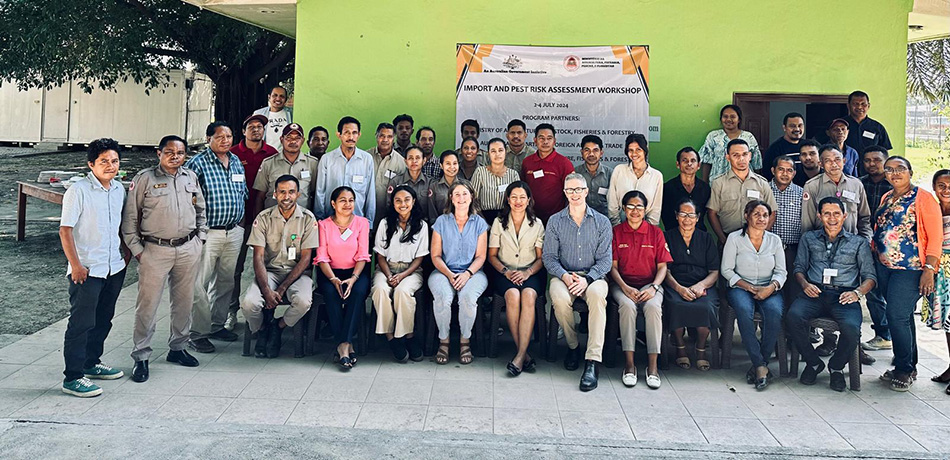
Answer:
(357, 173)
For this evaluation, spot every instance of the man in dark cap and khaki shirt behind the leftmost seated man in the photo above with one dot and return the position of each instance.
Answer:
(291, 161)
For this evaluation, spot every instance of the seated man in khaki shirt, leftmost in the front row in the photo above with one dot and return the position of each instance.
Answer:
(283, 238)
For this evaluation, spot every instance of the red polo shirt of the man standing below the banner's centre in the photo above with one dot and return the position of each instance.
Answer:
(547, 190)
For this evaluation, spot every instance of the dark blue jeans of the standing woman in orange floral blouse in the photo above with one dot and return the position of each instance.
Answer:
(901, 290)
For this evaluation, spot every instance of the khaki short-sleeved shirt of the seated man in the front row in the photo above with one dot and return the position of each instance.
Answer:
(277, 235)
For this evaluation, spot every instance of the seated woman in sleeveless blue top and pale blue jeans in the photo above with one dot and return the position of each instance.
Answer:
(459, 244)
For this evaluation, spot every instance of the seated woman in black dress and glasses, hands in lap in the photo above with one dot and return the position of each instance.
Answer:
(692, 299)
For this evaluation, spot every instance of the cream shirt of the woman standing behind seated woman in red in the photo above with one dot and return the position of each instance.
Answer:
(624, 180)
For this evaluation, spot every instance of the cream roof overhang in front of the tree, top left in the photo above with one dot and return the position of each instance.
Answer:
(275, 15)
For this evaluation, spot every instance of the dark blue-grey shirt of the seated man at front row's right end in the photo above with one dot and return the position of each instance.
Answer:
(849, 254)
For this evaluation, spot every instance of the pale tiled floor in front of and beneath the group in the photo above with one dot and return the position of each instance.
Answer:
(699, 407)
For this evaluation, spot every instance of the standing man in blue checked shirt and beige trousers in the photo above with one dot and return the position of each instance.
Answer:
(221, 177)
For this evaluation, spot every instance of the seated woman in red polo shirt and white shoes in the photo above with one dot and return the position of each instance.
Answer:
(639, 266)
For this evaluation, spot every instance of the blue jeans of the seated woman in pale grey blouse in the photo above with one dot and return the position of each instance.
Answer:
(771, 308)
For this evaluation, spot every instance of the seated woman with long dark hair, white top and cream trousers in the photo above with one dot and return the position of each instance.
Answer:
(402, 240)
